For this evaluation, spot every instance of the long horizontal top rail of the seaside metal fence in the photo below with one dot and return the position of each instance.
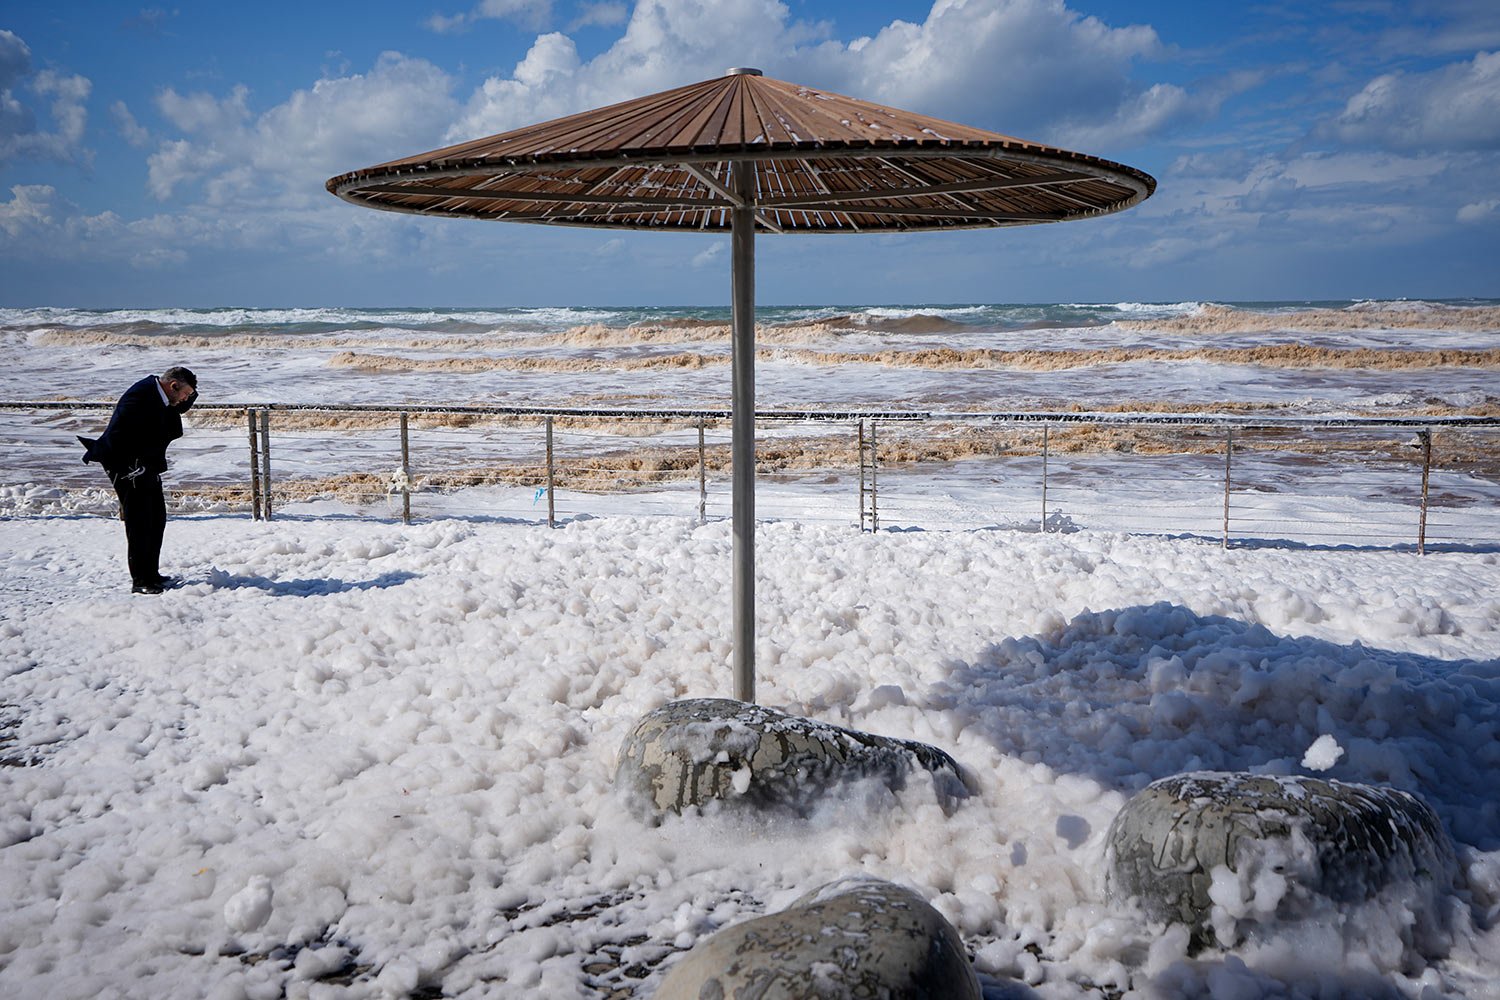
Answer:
(824, 416)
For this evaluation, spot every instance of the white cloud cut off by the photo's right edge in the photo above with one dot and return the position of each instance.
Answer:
(1454, 109)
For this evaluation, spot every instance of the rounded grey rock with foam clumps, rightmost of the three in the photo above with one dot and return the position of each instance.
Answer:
(1223, 852)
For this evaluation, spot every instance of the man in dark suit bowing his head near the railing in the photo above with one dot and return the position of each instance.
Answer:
(133, 451)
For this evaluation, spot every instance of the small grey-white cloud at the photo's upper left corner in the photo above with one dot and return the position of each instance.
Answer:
(62, 94)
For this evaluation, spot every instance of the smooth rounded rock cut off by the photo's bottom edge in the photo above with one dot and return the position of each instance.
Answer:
(854, 938)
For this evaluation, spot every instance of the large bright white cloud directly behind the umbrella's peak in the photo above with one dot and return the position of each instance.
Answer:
(1030, 68)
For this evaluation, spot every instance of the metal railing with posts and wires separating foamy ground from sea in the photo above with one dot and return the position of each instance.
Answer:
(1246, 479)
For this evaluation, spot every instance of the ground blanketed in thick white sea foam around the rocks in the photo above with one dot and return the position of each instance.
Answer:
(353, 759)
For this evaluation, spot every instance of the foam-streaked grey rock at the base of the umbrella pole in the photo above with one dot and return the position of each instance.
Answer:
(701, 750)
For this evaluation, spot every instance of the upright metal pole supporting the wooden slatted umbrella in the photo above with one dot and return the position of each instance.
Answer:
(742, 223)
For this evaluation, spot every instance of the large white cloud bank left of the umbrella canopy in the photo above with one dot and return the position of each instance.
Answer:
(244, 181)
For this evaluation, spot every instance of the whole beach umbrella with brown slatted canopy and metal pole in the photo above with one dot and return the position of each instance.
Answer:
(745, 154)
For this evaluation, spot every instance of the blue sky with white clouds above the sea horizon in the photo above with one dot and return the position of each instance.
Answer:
(175, 157)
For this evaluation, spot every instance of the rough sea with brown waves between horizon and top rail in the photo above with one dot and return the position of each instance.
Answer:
(1304, 356)
